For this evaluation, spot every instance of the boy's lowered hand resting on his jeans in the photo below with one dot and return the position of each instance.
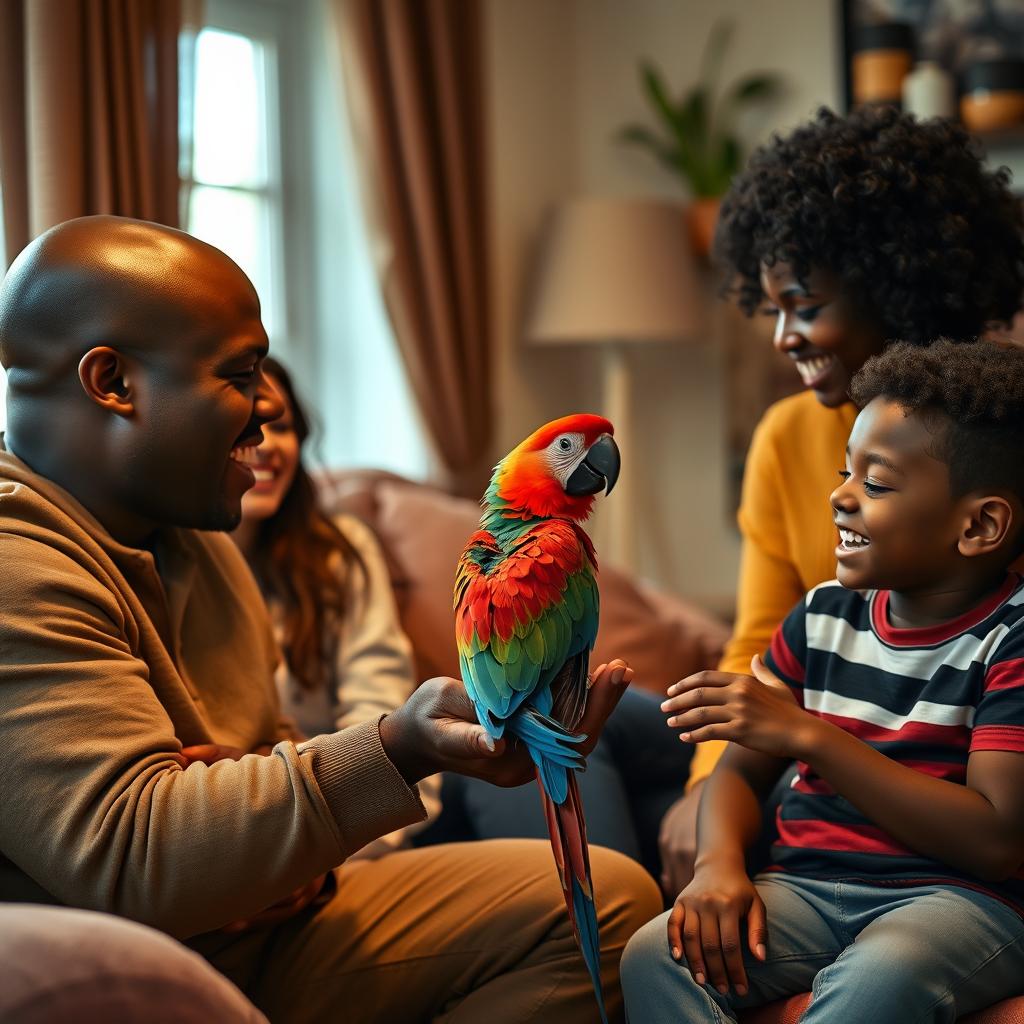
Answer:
(706, 924)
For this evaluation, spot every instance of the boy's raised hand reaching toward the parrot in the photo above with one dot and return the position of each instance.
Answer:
(760, 713)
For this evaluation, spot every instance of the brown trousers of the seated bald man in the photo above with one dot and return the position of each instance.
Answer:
(472, 933)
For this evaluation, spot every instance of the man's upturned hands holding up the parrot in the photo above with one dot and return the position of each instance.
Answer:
(437, 731)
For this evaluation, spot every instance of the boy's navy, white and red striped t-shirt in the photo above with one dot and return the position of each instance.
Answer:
(926, 698)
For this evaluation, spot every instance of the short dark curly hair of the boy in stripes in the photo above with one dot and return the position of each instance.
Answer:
(973, 397)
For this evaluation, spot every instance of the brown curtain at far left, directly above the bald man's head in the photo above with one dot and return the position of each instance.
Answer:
(89, 112)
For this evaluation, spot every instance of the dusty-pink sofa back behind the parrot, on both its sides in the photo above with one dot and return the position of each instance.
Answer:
(423, 531)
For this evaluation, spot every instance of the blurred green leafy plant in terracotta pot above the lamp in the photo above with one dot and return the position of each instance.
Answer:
(696, 138)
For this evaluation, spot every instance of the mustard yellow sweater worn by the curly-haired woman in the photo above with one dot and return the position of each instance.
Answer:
(789, 537)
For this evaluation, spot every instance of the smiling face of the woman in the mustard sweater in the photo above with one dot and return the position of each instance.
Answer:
(819, 328)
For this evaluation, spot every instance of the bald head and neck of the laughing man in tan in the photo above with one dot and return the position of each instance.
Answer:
(134, 355)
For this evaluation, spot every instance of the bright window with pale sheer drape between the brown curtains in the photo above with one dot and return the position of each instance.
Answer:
(268, 177)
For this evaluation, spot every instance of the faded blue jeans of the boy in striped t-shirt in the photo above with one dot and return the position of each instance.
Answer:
(870, 956)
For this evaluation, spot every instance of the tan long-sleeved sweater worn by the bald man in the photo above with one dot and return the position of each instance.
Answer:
(111, 661)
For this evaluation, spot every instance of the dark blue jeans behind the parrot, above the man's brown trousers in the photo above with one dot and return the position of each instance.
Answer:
(637, 771)
